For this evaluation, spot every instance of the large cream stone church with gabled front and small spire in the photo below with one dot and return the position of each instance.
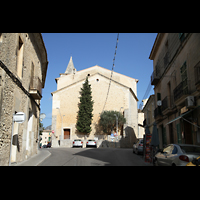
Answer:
(122, 97)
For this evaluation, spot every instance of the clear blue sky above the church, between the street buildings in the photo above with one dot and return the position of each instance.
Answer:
(90, 49)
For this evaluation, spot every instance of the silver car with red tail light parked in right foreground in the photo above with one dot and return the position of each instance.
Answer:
(177, 155)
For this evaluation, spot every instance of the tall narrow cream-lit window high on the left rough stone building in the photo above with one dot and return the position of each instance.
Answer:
(20, 57)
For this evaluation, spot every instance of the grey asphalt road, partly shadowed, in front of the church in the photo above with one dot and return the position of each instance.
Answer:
(93, 157)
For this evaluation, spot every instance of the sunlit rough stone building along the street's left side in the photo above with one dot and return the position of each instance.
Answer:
(23, 67)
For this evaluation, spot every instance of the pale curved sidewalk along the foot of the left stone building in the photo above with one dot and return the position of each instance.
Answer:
(34, 160)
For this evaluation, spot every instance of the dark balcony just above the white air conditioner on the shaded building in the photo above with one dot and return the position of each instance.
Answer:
(180, 92)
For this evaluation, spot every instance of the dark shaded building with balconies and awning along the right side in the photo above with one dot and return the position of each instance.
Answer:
(176, 77)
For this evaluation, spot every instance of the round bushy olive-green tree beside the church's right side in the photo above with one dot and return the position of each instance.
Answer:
(108, 120)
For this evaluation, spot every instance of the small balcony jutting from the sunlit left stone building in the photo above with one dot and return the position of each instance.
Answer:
(36, 88)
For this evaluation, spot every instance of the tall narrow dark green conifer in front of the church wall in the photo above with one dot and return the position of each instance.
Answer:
(85, 109)
